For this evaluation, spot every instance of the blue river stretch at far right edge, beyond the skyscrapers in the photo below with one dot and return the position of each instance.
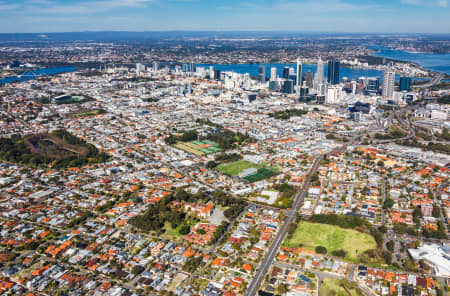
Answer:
(433, 61)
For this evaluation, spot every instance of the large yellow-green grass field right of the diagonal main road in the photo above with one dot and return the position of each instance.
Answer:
(334, 238)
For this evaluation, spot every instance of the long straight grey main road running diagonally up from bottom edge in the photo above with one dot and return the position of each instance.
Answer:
(291, 215)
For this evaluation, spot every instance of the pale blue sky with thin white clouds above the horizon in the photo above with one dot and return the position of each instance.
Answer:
(379, 16)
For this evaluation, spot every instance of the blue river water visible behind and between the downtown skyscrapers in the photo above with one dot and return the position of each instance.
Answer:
(252, 69)
